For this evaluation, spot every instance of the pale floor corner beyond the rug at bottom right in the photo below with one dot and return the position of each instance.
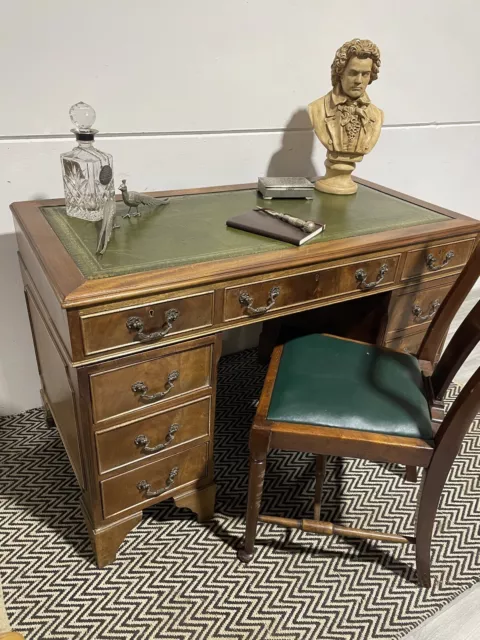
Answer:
(459, 620)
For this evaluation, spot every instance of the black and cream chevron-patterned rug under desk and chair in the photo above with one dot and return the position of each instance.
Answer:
(179, 580)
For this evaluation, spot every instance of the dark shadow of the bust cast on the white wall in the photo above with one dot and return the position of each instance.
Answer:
(294, 158)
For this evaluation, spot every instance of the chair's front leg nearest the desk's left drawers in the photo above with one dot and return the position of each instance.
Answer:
(258, 457)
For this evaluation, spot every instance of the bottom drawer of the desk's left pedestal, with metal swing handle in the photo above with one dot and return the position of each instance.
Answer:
(137, 487)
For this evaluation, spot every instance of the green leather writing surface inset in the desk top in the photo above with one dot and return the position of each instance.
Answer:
(192, 229)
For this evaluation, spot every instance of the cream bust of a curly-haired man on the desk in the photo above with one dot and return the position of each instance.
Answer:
(345, 121)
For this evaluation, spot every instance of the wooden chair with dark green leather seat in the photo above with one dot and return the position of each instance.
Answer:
(333, 396)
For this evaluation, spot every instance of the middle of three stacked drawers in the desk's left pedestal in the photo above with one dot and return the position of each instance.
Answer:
(152, 436)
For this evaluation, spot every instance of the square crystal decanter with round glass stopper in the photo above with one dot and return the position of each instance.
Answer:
(87, 172)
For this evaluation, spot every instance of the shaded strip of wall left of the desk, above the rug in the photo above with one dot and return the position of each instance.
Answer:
(19, 383)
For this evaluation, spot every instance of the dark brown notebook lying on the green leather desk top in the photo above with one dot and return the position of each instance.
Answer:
(265, 225)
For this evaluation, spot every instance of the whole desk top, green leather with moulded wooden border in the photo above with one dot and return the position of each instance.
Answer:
(66, 246)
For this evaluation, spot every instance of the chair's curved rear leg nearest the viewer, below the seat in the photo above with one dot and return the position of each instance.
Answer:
(430, 492)
